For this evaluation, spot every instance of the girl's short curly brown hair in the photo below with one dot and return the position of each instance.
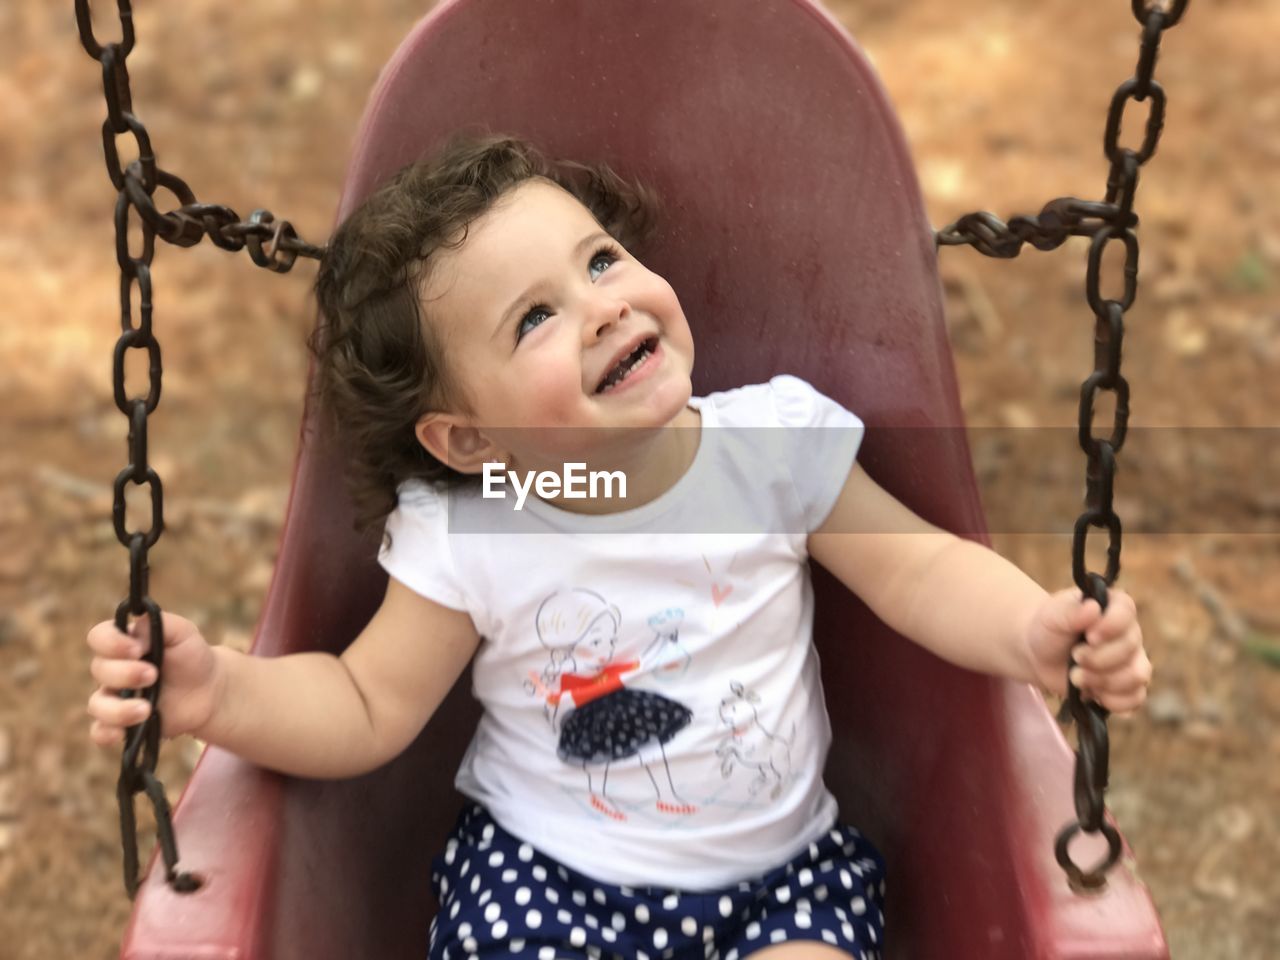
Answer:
(380, 364)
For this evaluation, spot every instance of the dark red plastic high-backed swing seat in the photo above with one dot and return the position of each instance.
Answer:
(794, 232)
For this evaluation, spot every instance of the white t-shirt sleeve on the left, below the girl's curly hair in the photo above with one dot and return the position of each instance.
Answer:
(417, 548)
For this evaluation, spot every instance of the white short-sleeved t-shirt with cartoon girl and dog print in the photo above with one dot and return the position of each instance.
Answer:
(653, 711)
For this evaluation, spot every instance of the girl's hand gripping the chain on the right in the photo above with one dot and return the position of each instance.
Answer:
(1112, 668)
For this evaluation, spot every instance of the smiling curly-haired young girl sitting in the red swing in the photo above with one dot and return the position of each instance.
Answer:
(647, 774)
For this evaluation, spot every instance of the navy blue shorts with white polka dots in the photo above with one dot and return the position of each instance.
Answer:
(501, 898)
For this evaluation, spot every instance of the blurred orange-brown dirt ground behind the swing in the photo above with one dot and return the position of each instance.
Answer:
(1004, 106)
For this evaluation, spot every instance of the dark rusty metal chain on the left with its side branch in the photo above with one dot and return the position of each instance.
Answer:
(273, 245)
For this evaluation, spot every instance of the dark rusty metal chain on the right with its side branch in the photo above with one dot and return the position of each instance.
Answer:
(1112, 221)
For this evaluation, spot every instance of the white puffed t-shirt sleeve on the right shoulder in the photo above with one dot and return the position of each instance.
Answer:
(822, 445)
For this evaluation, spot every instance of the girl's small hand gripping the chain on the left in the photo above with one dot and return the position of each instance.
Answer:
(191, 679)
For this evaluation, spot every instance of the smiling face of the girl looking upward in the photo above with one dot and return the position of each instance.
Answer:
(548, 323)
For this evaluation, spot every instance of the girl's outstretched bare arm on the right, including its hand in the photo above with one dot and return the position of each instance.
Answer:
(968, 605)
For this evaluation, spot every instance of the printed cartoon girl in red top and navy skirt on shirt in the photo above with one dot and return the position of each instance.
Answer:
(610, 723)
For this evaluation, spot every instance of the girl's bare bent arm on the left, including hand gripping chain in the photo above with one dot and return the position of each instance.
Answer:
(310, 715)
